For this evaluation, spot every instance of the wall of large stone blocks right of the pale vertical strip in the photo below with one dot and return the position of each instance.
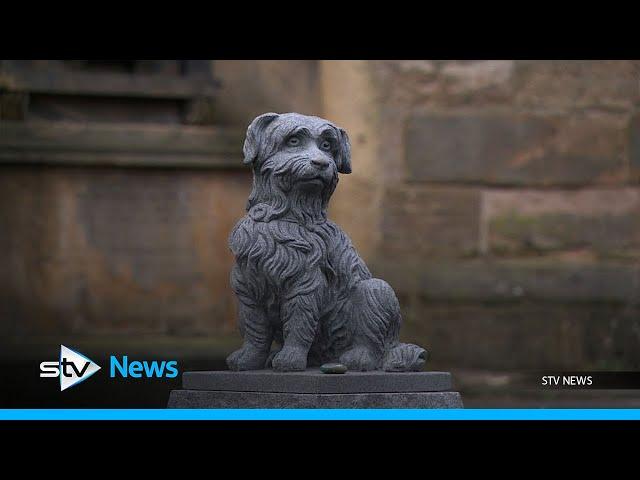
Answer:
(509, 208)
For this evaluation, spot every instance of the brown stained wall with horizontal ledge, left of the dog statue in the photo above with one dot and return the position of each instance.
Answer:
(114, 219)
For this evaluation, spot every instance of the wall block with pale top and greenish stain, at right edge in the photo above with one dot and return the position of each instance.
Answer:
(605, 221)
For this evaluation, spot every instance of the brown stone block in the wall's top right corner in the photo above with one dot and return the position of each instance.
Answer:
(567, 84)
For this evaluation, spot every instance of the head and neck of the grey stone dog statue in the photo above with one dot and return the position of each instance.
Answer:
(296, 160)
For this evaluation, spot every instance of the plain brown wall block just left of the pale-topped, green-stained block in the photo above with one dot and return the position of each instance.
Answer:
(421, 222)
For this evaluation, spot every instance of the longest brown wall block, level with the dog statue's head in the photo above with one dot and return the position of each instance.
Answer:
(517, 149)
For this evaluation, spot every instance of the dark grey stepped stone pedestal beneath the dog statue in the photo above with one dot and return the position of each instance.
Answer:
(313, 389)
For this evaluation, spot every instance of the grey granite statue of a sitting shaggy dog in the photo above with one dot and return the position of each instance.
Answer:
(298, 278)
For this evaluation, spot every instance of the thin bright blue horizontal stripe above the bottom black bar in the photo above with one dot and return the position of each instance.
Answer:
(319, 414)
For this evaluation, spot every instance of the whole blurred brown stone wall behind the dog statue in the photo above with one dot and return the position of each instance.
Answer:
(501, 199)
